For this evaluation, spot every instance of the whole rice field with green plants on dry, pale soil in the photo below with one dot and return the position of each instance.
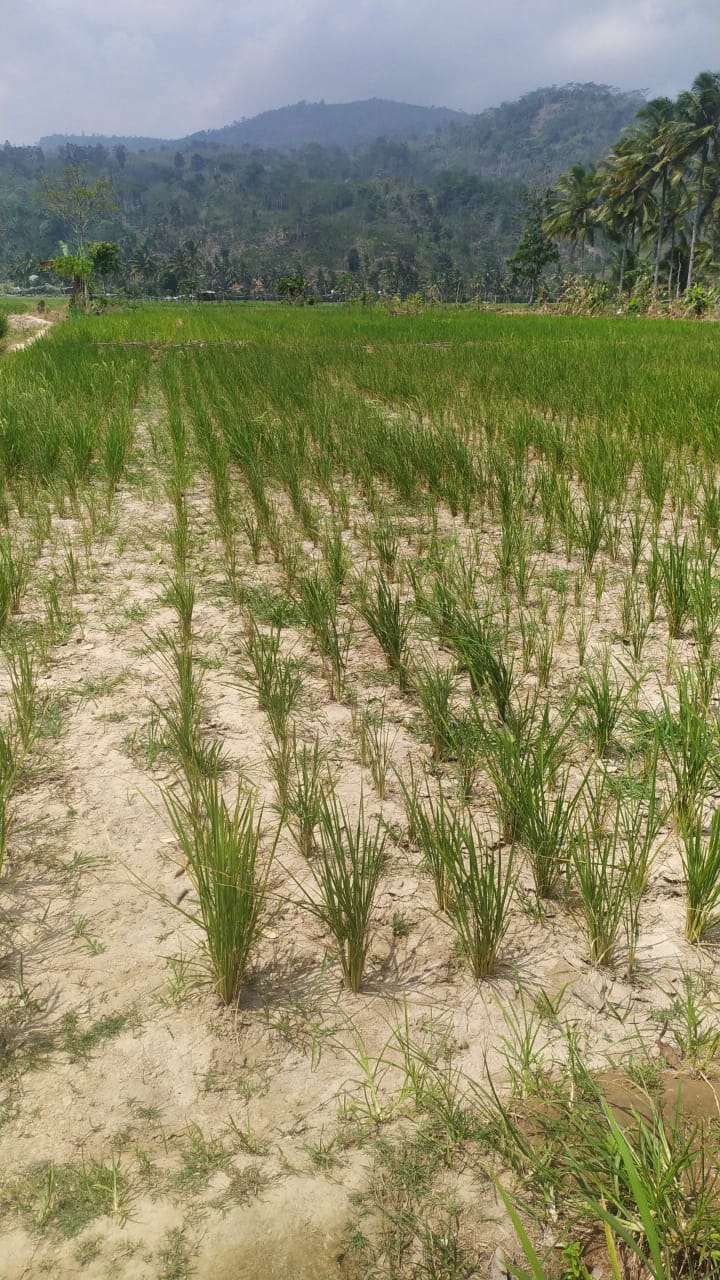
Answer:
(359, 776)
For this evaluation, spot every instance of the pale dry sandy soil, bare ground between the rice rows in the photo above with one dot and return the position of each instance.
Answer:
(218, 1123)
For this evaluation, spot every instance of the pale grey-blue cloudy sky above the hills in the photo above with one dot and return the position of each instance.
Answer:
(166, 68)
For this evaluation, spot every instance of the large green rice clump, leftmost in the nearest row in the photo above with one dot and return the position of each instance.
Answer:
(222, 851)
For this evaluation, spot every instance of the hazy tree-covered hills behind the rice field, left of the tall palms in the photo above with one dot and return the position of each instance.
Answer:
(397, 213)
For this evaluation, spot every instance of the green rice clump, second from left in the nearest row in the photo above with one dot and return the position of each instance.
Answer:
(348, 872)
